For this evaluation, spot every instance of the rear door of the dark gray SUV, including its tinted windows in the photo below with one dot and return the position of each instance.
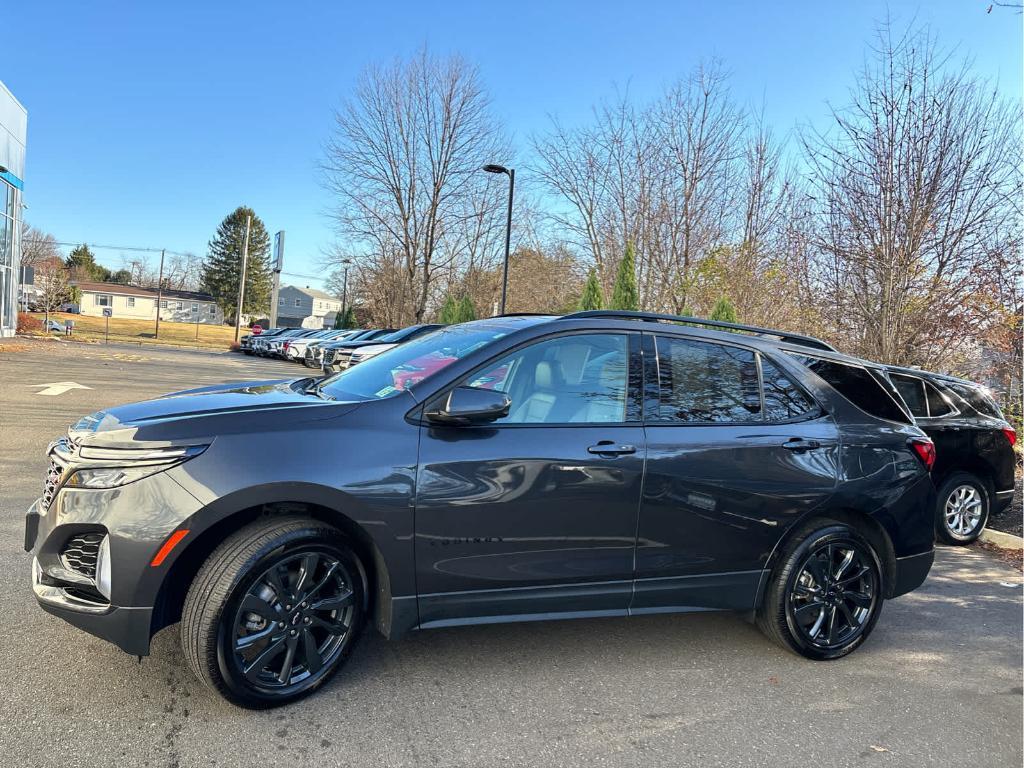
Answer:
(736, 452)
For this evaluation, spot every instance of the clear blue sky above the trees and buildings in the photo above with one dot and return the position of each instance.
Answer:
(149, 122)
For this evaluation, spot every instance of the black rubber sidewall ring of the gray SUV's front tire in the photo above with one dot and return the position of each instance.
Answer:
(236, 688)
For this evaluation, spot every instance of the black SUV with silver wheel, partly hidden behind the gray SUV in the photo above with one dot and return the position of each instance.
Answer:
(974, 447)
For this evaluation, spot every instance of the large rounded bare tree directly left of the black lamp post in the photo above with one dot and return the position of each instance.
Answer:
(404, 166)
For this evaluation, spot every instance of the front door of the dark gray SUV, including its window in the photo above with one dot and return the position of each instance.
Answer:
(536, 514)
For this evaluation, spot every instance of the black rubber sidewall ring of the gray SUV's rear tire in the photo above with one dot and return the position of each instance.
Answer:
(791, 572)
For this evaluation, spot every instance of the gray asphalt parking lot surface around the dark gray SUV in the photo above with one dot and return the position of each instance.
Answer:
(938, 684)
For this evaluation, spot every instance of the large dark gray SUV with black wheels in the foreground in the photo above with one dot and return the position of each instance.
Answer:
(602, 464)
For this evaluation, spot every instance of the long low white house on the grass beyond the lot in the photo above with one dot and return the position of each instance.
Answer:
(141, 304)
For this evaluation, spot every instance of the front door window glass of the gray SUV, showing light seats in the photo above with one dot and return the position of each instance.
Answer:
(577, 379)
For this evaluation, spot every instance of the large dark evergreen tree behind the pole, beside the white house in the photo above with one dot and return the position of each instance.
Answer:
(221, 274)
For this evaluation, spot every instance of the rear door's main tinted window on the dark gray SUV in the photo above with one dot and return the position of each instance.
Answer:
(706, 383)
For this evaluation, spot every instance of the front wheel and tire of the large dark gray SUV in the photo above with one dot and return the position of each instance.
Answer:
(279, 592)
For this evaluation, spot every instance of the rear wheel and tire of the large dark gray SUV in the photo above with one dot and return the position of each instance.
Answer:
(801, 610)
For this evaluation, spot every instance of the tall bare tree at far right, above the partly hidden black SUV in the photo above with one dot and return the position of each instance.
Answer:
(914, 194)
